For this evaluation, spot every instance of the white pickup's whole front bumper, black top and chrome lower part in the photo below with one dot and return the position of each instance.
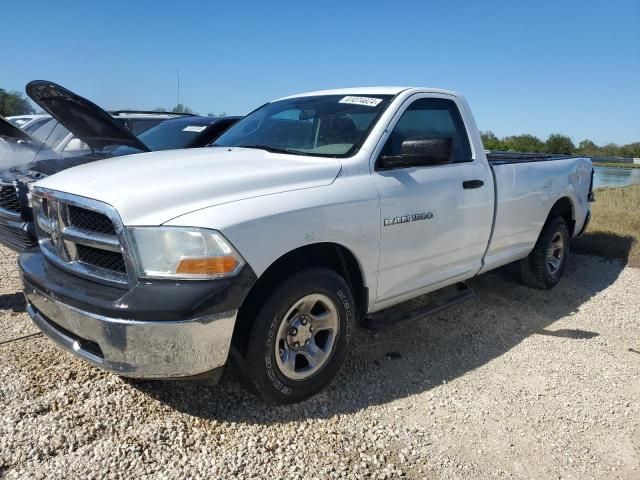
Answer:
(105, 331)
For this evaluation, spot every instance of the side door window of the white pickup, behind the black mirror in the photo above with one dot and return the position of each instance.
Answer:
(430, 118)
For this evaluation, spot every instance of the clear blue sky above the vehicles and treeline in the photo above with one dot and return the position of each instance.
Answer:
(526, 67)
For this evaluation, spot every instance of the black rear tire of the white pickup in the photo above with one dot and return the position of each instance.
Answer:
(537, 271)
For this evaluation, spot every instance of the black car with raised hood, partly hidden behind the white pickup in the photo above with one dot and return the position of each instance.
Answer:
(105, 136)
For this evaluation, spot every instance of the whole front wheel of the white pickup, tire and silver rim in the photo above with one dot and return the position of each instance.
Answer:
(300, 337)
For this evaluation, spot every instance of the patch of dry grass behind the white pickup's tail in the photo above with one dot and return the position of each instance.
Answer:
(614, 231)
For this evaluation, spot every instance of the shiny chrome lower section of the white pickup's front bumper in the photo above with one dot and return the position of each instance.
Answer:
(140, 349)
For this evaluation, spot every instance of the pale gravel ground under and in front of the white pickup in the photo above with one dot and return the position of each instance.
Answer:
(516, 383)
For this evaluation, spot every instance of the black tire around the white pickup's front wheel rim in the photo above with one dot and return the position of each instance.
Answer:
(258, 368)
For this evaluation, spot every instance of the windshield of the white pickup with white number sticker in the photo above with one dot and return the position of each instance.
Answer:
(324, 125)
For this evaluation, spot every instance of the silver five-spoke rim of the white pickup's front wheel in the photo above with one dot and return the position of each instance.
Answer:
(307, 336)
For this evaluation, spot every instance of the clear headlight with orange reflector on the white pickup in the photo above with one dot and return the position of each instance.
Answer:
(184, 253)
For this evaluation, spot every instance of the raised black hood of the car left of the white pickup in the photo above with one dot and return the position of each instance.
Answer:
(83, 118)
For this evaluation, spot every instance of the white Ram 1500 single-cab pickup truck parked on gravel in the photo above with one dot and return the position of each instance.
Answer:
(268, 249)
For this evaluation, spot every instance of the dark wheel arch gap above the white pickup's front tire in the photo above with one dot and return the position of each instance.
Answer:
(330, 255)
